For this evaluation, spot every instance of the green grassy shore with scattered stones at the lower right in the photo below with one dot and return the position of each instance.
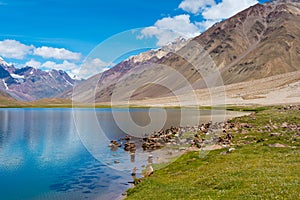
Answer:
(264, 165)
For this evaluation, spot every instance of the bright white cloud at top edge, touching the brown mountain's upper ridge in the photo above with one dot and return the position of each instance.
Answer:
(226, 9)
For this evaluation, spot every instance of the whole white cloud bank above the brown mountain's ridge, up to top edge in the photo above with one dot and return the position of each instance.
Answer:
(169, 28)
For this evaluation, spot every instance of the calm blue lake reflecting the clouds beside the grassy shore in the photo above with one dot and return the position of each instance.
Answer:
(64, 154)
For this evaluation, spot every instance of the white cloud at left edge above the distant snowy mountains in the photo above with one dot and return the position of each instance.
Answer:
(14, 49)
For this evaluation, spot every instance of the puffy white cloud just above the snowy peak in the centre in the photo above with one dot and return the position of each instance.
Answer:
(169, 28)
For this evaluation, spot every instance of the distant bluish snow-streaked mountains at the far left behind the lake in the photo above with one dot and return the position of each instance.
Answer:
(29, 84)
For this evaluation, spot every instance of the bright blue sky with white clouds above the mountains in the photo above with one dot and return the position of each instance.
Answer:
(56, 34)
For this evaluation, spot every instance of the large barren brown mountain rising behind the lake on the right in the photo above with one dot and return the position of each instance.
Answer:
(259, 42)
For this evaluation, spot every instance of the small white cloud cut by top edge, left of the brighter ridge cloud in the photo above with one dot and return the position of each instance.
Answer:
(195, 6)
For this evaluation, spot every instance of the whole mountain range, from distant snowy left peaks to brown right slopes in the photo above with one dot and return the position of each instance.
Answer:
(261, 42)
